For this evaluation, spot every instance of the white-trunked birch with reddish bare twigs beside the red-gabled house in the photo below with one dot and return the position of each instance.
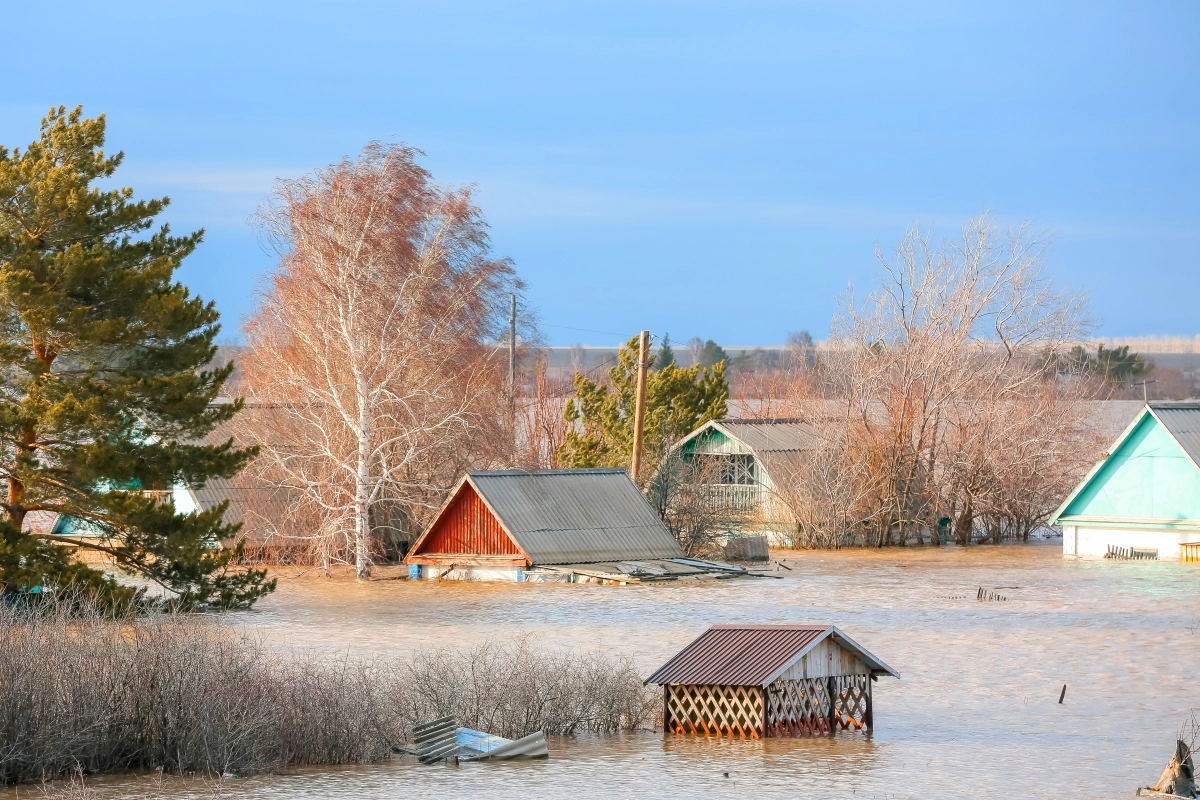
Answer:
(375, 339)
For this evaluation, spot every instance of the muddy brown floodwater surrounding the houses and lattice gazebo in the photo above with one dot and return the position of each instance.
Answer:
(975, 714)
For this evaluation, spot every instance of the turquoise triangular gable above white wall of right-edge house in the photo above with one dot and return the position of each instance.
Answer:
(1151, 473)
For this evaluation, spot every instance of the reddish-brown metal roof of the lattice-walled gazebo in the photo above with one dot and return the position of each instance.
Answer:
(754, 655)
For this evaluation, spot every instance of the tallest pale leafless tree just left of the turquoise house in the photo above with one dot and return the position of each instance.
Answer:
(938, 365)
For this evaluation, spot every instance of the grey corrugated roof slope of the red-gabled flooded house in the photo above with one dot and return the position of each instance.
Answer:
(577, 516)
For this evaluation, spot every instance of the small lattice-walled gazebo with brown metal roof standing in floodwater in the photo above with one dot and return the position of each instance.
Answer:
(754, 682)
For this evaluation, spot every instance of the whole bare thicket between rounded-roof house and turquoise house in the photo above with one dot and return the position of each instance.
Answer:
(932, 402)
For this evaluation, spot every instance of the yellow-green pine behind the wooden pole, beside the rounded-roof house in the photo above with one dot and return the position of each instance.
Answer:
(602, 419)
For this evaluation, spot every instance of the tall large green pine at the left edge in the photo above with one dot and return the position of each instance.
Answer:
(106, 398)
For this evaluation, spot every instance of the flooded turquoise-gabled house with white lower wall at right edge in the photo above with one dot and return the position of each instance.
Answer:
(1144, 495)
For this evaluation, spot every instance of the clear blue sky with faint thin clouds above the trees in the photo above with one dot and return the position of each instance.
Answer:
(709, 170)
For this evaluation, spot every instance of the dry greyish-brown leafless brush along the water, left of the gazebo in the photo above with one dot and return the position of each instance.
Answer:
(196, 695)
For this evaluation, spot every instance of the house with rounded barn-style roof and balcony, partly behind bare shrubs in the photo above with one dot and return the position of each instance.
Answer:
(752, 461)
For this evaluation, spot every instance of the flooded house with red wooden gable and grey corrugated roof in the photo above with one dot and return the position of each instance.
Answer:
(578, 526)
